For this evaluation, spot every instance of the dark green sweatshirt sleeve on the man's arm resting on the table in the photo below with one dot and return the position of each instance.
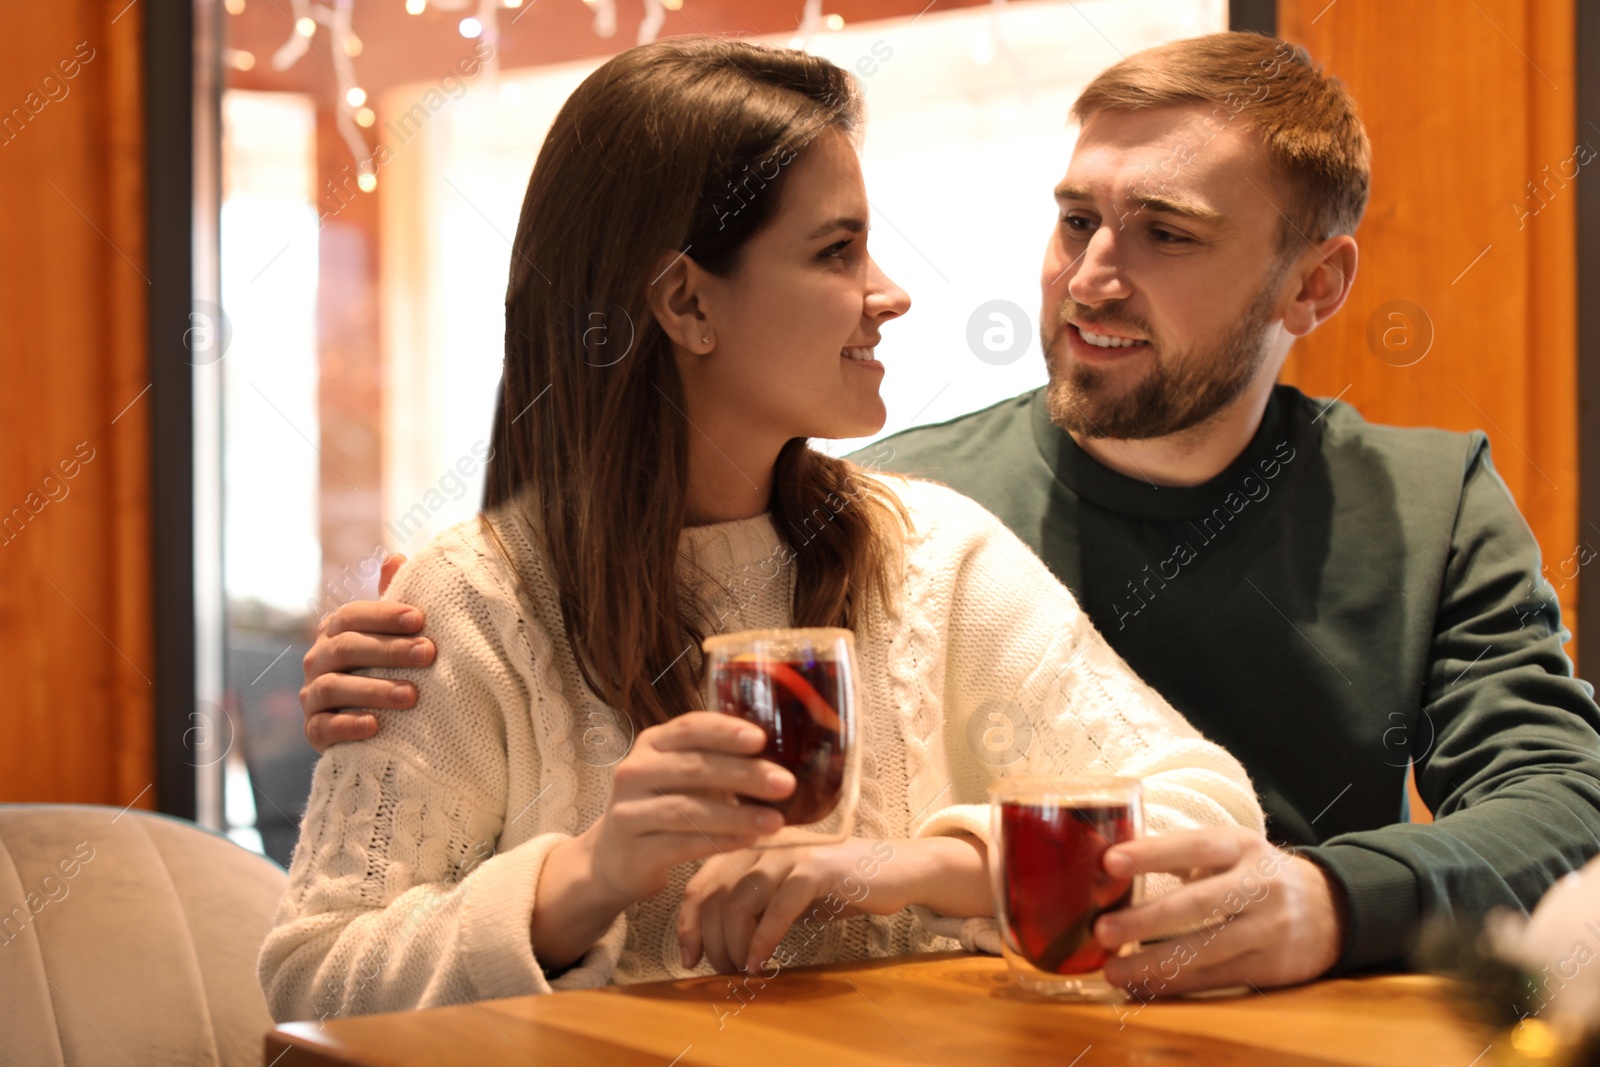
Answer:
(1508, 756)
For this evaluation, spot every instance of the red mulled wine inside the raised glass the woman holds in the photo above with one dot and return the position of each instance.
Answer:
(798, 703)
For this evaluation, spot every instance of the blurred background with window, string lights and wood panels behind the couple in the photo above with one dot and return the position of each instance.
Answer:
(257, 250)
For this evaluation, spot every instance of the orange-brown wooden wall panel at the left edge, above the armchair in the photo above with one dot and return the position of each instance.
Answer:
(74, 442)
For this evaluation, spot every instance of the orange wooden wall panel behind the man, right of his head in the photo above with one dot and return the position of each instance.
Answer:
(1466, 105)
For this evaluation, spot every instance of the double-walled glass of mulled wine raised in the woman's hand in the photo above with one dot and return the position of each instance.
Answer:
(801, 689)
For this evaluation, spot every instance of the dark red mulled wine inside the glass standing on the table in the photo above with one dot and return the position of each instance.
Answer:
(1055, 887)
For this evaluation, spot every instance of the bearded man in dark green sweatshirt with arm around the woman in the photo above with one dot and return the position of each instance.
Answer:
(1332, 601)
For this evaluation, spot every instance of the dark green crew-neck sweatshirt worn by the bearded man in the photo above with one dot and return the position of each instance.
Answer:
(1343, 601)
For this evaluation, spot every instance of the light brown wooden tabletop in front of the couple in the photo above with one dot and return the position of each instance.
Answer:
(924, 1012)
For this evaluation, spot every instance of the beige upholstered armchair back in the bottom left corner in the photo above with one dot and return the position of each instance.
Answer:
(129, 938)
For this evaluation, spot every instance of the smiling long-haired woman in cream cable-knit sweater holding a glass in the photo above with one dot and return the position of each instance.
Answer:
(690, 300)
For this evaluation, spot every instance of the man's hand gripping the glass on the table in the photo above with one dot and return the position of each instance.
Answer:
(1271, 919)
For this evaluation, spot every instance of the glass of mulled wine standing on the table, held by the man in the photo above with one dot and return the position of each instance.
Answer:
(1047, 844)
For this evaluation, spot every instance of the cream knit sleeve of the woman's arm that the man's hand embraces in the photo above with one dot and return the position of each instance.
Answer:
(401, 893)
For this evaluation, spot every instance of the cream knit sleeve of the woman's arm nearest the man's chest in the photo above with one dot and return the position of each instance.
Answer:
(1033, 689)
